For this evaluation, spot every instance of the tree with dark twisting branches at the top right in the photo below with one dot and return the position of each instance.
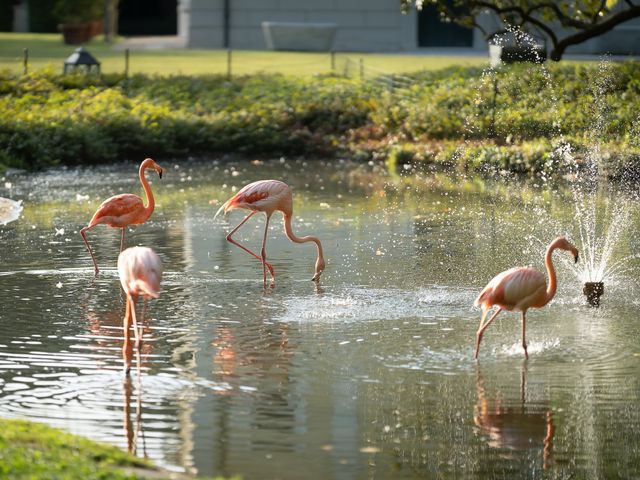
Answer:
(582, 19)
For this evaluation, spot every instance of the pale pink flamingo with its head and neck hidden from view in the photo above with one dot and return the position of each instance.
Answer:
(140, 271)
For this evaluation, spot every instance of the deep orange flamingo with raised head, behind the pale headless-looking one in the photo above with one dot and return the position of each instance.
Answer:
(122, 210)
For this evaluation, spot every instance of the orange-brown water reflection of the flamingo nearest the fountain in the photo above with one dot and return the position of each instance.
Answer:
(513, 427)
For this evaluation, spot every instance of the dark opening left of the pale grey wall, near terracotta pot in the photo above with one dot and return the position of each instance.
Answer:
(148, 17)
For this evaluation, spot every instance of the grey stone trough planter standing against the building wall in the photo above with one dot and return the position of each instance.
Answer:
(301, 36)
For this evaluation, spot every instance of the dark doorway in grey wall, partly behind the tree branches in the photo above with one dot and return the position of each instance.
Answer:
(432, 32)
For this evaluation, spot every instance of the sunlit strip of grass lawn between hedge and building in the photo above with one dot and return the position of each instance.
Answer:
(48, 50)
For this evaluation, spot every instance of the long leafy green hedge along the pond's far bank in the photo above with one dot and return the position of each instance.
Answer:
(521, 113)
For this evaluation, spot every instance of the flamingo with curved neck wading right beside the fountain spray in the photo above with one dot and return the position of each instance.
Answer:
(520, 289)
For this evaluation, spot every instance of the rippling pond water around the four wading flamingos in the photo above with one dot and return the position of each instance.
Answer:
(368, 375)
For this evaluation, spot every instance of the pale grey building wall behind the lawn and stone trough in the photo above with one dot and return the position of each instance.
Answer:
(362, 25)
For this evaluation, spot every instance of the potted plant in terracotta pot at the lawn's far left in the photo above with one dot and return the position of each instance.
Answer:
(80, 20)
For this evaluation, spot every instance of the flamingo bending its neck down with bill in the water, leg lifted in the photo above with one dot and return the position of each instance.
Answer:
(267, 196)
